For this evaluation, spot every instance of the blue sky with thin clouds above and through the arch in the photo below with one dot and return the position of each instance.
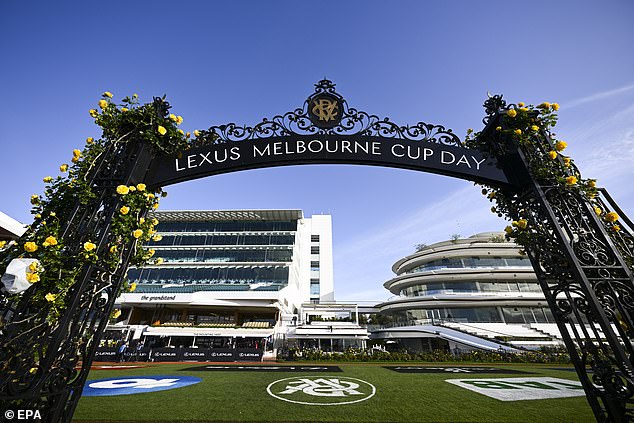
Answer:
(240, 61)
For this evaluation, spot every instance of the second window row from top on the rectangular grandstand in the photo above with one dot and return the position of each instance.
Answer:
(219, 239)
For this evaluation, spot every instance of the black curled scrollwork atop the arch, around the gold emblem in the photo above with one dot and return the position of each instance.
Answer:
(352, 122)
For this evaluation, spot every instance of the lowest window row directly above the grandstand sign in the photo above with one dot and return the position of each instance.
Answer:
(212, 275)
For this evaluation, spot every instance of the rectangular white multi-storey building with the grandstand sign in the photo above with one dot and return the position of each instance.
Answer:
(231, 283)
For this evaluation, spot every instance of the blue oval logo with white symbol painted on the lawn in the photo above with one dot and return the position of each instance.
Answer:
(135, 385)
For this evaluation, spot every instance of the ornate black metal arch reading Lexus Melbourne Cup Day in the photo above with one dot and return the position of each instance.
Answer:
(585, 272)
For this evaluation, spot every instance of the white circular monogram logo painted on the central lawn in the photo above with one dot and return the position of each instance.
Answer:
(321, 390)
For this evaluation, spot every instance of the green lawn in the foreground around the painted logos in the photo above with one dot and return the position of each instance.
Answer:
(225, 396)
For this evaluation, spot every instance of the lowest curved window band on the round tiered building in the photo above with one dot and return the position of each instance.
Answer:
(479, 315)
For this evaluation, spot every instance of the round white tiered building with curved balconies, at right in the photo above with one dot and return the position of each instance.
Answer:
(473, 293)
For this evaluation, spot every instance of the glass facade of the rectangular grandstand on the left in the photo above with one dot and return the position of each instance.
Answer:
(201, 252)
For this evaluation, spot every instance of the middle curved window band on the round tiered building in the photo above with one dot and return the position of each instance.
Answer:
(445, 287)
